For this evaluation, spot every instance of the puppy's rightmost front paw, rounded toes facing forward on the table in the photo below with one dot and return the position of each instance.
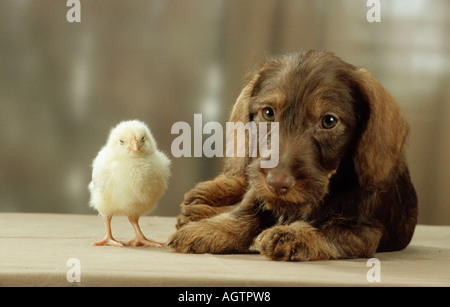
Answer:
(291, 243)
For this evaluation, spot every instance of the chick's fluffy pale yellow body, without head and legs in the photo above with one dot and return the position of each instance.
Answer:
(124, 185)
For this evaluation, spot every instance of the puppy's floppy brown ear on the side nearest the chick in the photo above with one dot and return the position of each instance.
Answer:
(235, 166)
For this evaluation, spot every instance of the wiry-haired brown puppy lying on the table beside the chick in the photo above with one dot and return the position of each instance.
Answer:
(341, 188)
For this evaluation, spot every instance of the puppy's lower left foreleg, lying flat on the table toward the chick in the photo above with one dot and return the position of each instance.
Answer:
(231, 232)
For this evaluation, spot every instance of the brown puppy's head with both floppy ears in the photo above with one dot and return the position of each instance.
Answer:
(334, 120)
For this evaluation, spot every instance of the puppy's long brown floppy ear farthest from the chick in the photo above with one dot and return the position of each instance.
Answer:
(379, 153)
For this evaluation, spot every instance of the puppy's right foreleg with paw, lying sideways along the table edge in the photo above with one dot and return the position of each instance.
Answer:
(300, 241)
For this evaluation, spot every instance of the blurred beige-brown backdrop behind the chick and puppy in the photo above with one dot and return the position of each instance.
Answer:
(64, 85)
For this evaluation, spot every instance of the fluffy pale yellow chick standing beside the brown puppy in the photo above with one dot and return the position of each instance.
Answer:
(129, 175)
